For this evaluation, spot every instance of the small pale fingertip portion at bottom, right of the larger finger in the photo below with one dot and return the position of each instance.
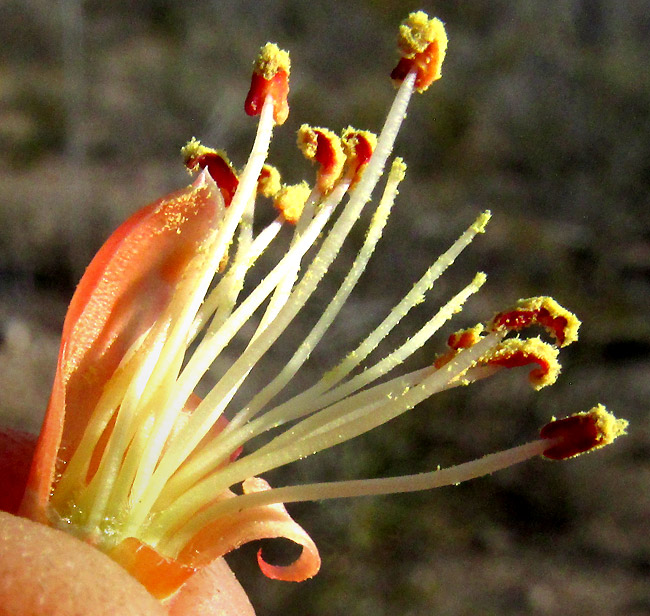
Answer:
(213, 591)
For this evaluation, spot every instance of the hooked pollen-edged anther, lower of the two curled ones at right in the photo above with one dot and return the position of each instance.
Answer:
(516, 352)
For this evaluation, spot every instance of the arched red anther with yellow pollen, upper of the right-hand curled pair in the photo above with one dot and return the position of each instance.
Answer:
(543, 311)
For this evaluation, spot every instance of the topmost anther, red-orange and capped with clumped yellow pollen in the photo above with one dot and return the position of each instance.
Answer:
(423, 43)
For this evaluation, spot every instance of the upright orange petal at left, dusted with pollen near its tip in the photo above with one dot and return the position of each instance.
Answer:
(125, 288)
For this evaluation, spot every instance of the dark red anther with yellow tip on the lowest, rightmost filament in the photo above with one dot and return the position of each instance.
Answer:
(581, 433)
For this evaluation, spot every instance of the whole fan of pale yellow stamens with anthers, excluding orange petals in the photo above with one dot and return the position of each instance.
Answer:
(162, 470)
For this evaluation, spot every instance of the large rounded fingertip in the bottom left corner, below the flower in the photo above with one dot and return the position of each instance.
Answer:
(45, 572)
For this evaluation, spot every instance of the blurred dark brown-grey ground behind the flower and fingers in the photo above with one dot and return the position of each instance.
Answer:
(543, 116)
